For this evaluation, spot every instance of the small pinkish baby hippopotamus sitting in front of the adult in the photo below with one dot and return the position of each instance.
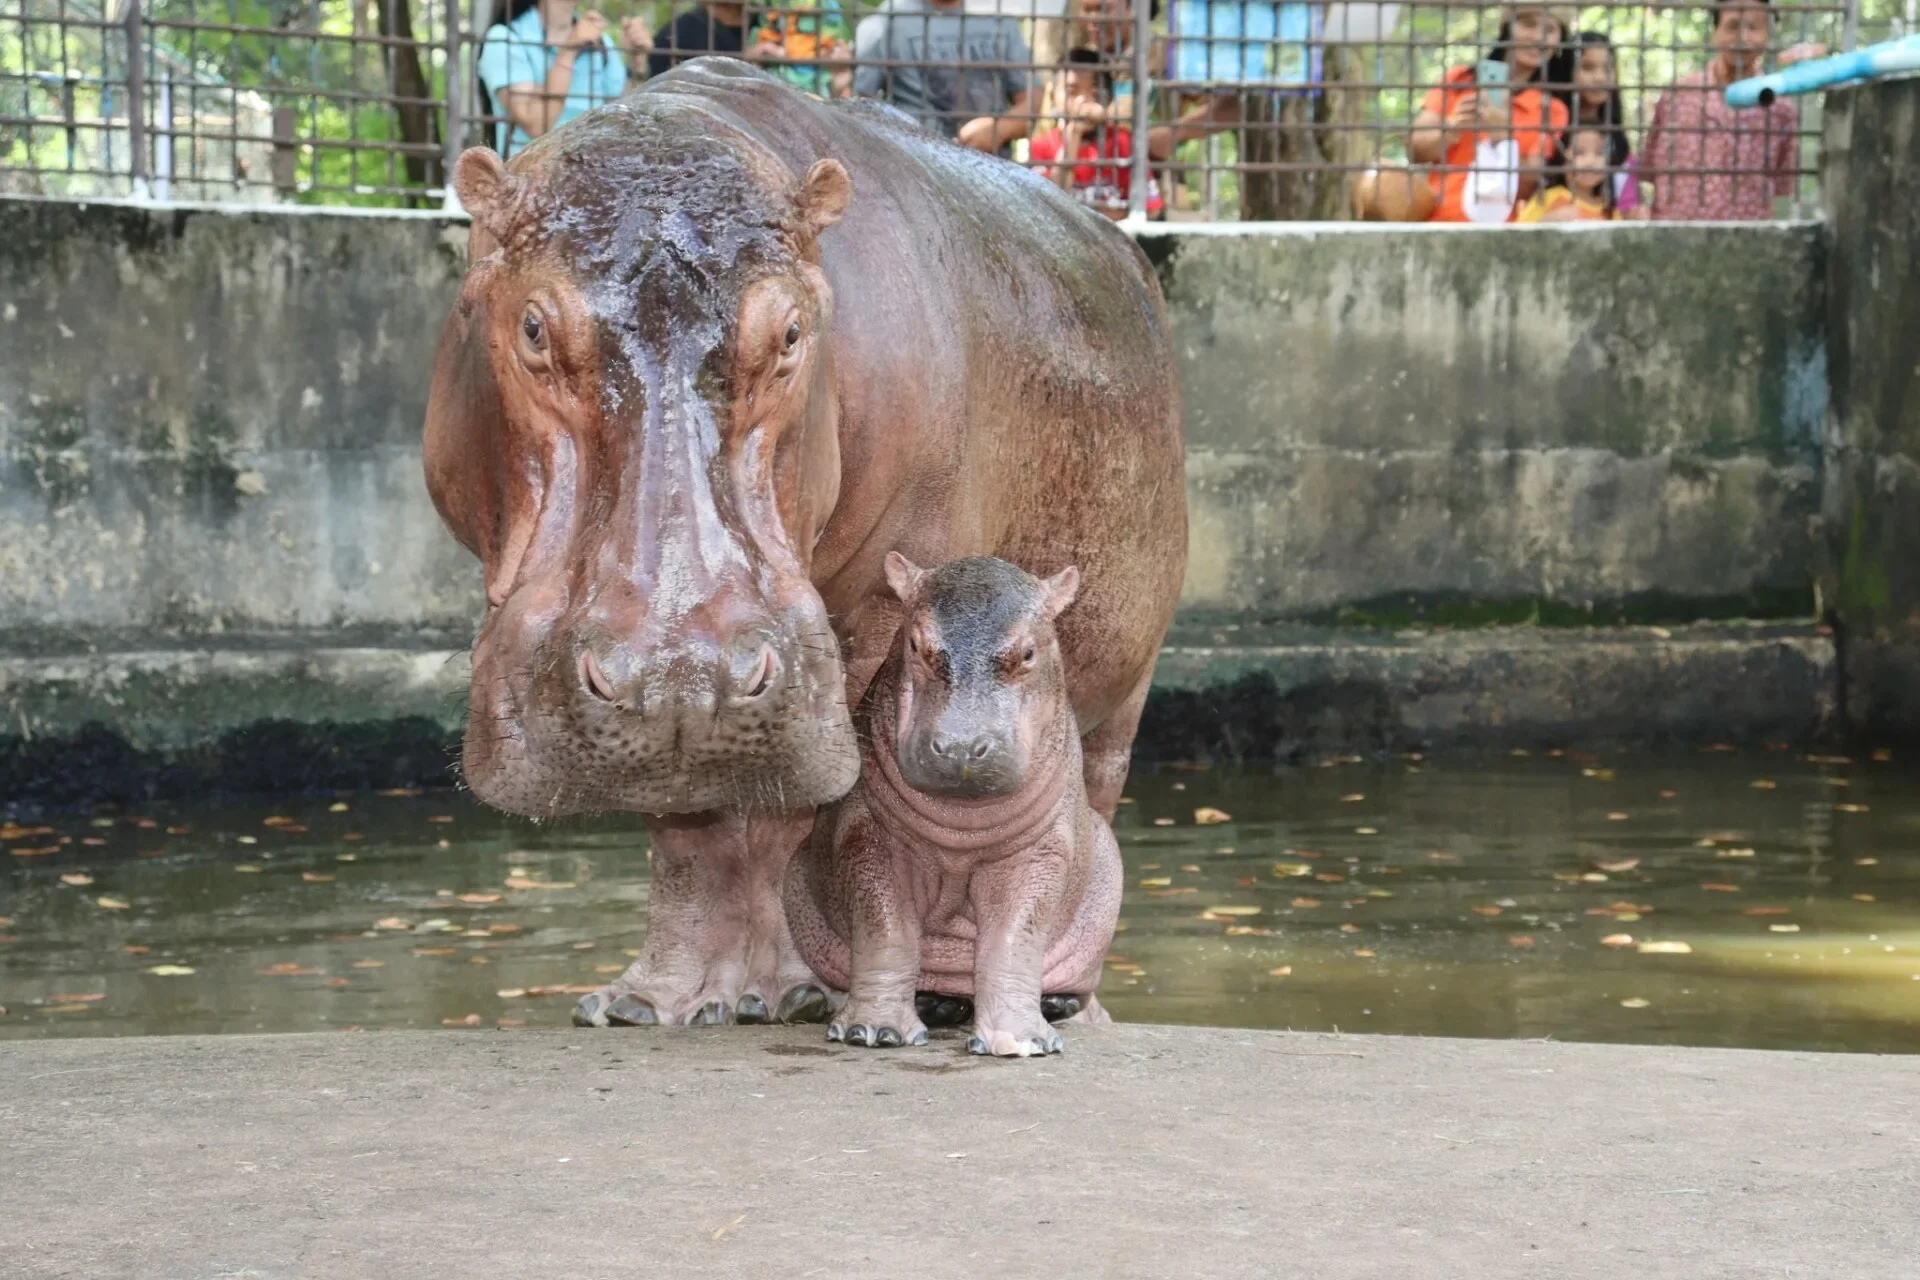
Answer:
(967, 861)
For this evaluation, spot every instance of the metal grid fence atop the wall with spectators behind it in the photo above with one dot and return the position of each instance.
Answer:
(1253, 108)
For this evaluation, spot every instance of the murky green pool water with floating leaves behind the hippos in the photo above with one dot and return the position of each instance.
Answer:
(1477, 897)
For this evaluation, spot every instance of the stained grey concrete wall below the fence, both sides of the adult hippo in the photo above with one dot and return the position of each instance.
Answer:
(210, 421)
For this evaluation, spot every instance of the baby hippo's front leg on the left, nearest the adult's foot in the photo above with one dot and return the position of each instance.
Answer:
(882, 943)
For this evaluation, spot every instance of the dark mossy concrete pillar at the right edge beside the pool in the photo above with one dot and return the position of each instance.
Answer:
(1873, 469)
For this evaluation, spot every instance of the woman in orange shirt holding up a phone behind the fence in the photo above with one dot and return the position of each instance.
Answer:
(1458, 116)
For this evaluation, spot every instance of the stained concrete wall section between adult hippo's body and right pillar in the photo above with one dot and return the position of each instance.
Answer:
(1568, 415)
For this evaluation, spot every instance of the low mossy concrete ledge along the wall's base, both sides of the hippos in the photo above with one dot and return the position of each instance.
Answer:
(126, 726)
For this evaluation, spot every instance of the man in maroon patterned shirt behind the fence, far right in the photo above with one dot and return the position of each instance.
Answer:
(1712, 162)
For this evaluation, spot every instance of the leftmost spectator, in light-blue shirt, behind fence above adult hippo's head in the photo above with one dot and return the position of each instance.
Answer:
(542, 64)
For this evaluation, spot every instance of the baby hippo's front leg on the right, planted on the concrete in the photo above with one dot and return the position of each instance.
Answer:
(1015, 907)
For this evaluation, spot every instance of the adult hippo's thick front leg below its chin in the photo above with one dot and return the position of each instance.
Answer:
(717, 932)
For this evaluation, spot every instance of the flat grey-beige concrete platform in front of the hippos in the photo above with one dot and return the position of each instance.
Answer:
(761, 1152)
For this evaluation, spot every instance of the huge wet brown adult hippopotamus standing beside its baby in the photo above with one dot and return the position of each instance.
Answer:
(721, 348)
